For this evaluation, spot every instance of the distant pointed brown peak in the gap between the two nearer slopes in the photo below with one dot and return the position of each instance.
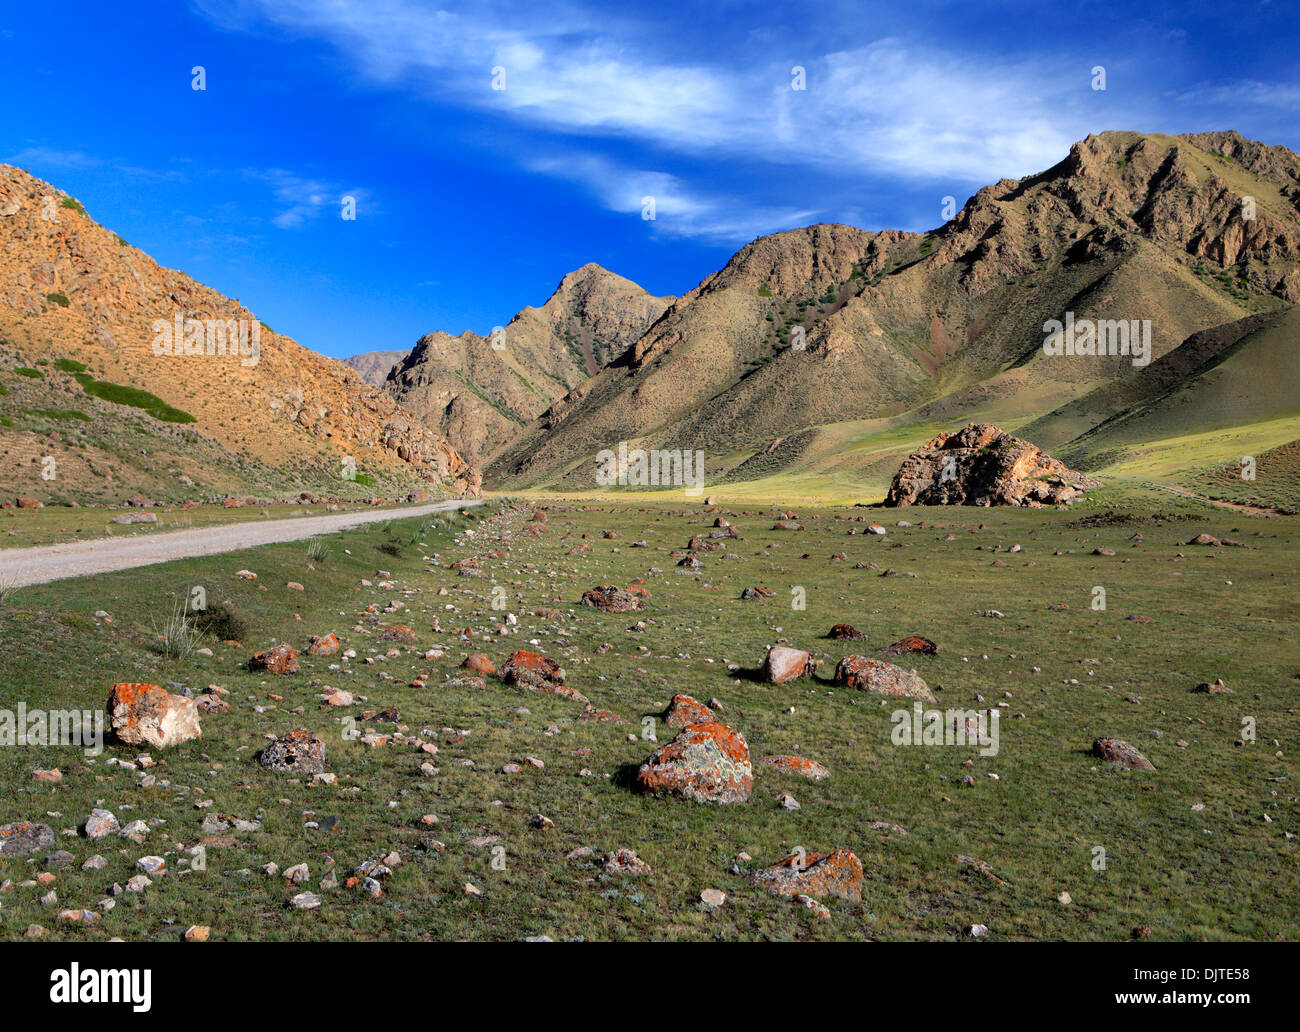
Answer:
(480, 392)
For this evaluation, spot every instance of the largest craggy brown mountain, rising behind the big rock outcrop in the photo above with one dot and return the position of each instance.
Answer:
(908, 333)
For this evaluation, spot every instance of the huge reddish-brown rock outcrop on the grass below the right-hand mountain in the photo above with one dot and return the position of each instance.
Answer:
(982, 466)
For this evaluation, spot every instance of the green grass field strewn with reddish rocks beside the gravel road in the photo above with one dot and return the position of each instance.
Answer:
(1197, 851)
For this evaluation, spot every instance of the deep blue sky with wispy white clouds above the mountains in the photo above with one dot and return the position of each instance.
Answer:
(474, 202)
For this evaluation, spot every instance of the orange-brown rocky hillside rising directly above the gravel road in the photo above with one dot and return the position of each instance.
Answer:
(98, 371)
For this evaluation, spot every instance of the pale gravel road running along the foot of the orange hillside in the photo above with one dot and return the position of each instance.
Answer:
(20, 567)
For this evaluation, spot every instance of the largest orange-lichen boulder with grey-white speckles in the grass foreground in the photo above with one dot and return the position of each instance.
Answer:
(707, 762)
